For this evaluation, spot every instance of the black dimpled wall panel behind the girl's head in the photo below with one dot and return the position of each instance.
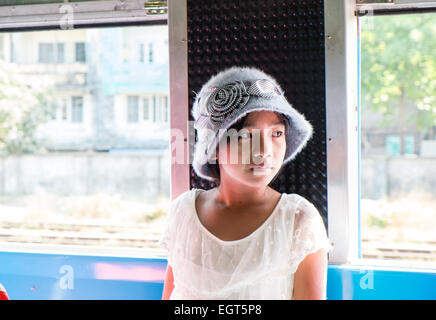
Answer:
(285, 39)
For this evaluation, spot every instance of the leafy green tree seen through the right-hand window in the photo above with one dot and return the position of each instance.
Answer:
(399, 65)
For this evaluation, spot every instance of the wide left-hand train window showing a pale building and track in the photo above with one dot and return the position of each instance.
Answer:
(84, 137)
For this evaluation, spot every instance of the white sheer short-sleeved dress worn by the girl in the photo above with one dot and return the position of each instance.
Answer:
(259, 266)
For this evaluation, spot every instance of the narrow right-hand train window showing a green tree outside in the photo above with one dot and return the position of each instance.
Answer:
(398, 137)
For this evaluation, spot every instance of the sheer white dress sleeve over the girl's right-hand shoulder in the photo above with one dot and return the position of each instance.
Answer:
(309, 233)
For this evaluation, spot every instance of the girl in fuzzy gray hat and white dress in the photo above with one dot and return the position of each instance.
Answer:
(243, 239)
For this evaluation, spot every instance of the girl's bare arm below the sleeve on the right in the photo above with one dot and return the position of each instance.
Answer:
(310, 279)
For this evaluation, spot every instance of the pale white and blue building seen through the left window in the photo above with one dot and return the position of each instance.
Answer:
(110, 84)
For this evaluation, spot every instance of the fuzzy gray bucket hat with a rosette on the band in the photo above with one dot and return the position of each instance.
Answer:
(229, 96)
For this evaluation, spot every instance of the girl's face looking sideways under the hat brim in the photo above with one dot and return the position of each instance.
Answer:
(255, 154)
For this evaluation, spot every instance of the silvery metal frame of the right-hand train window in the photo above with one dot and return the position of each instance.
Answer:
(343, 122)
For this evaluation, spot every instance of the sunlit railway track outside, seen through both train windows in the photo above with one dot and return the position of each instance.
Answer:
(146, 236)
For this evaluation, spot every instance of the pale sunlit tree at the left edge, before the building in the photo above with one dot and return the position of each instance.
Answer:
(23, 107)
